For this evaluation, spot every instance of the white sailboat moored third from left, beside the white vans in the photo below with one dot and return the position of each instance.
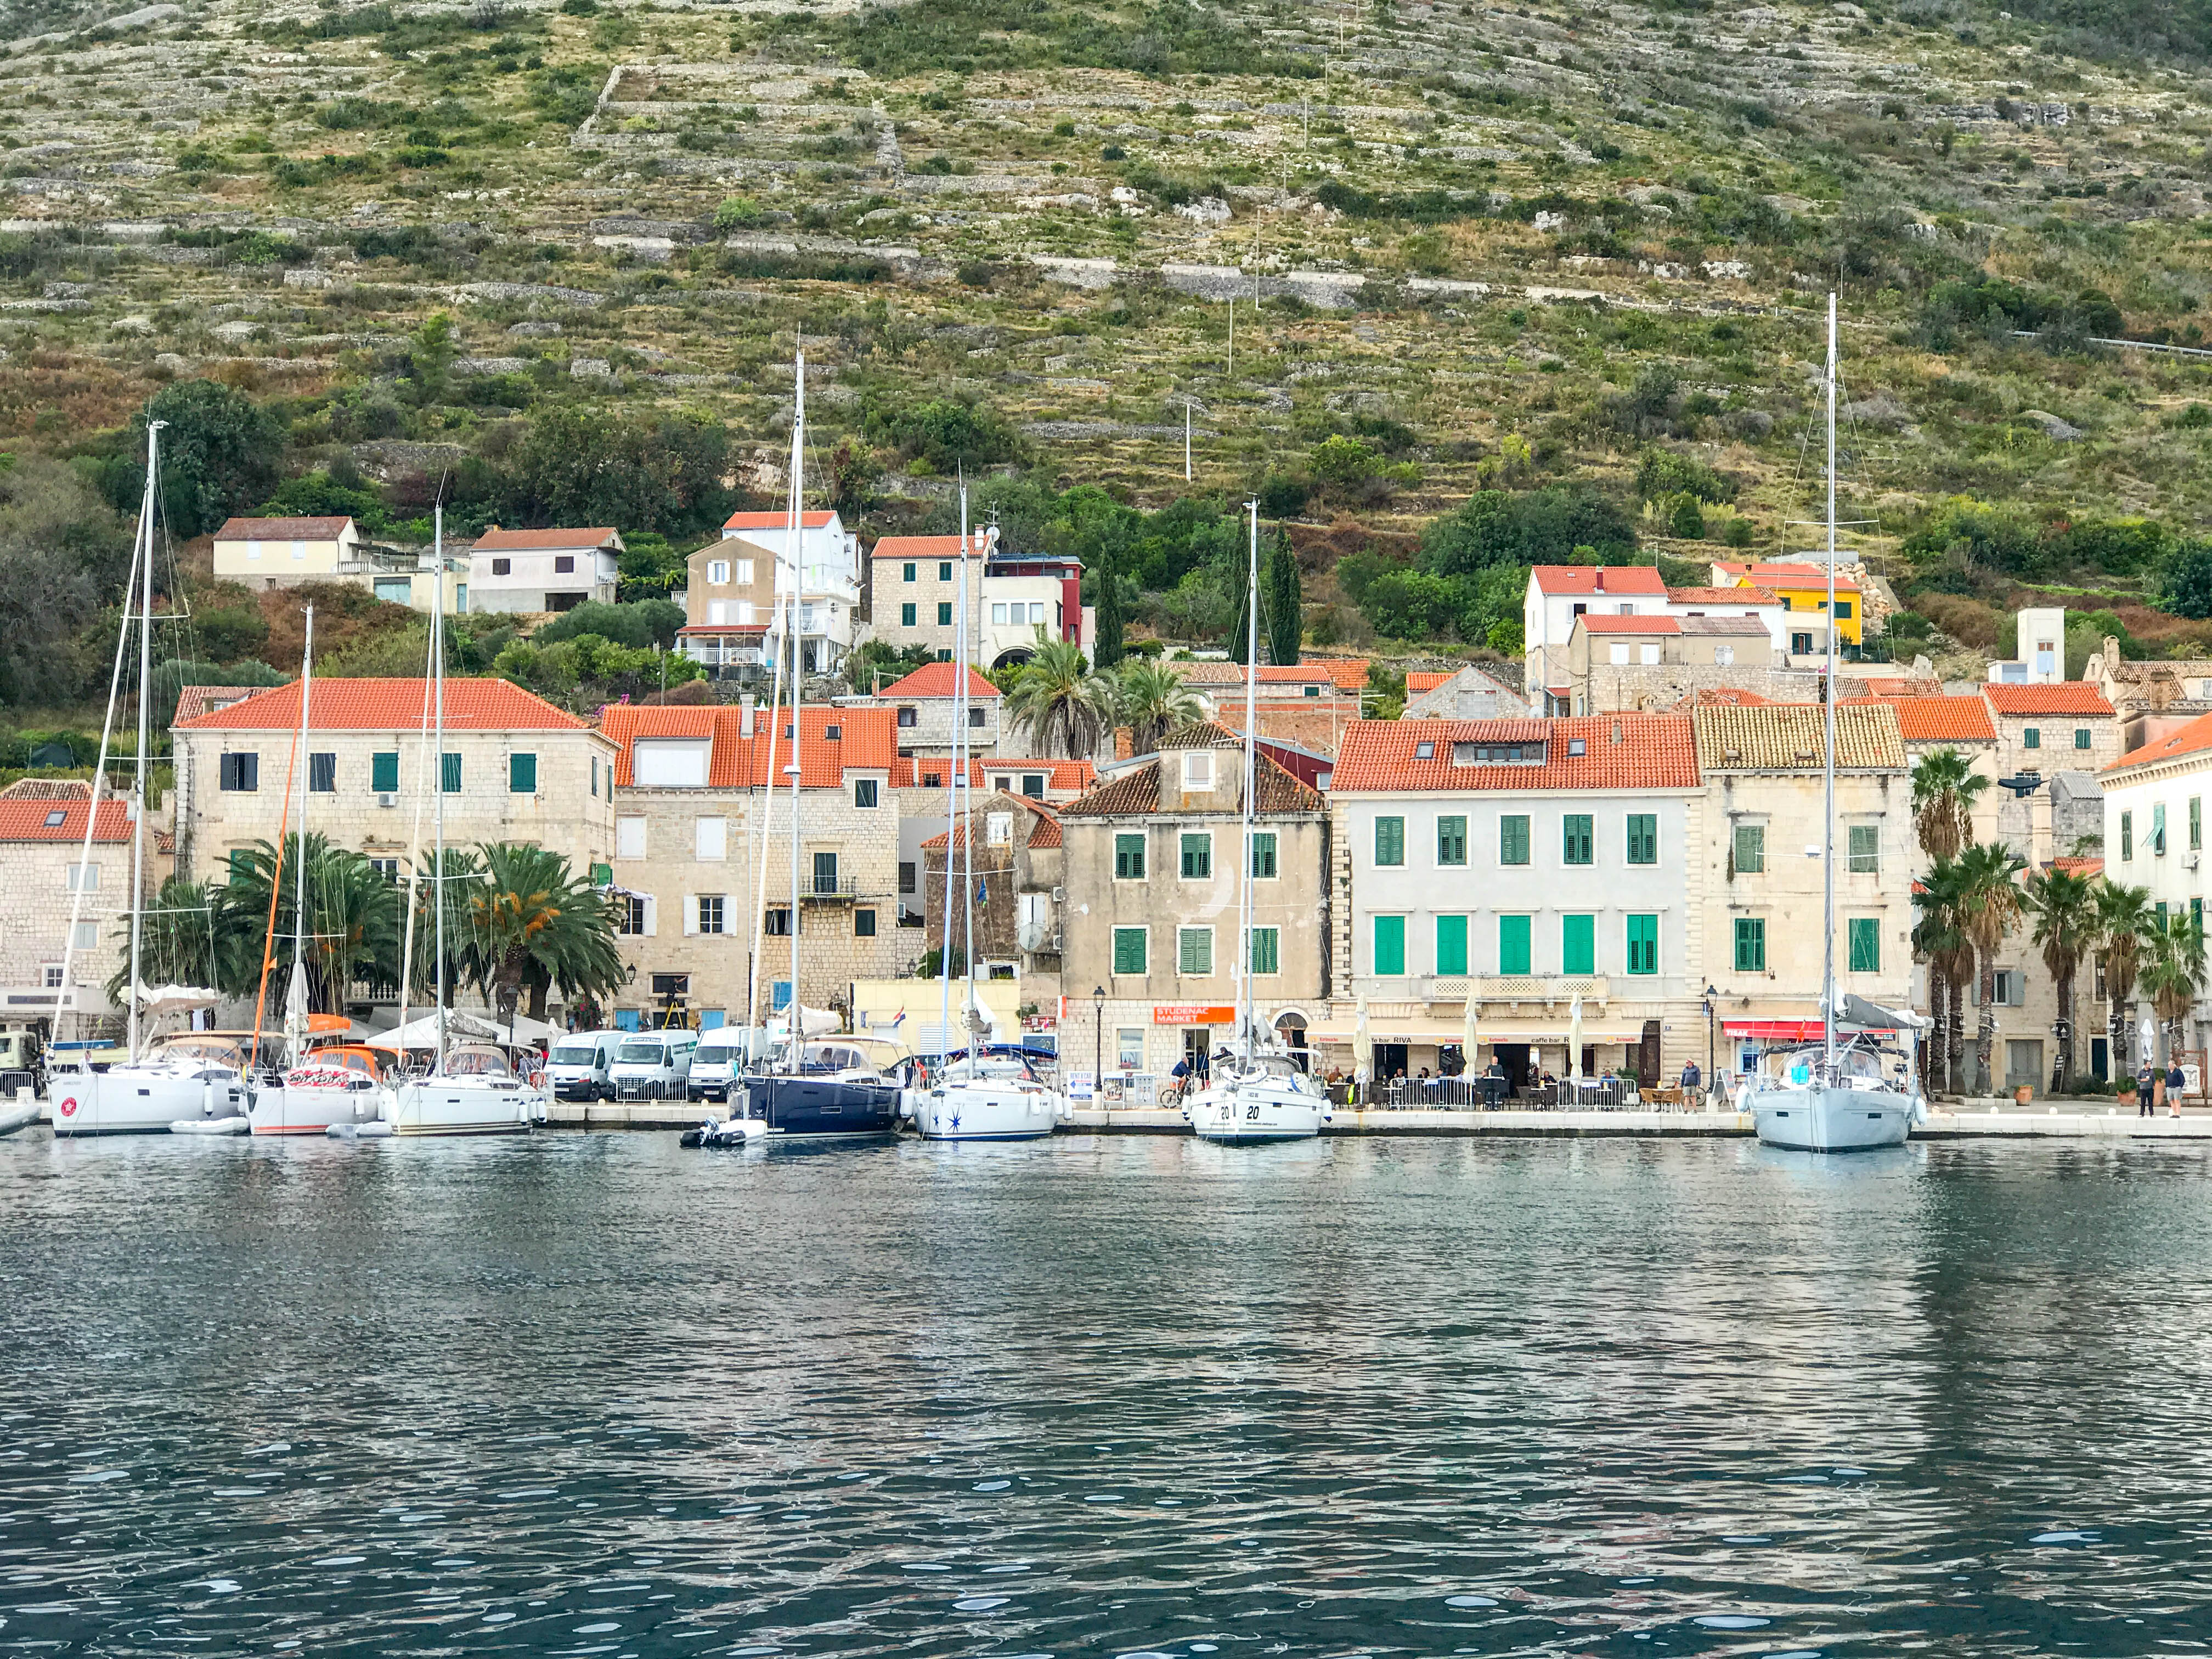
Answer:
(470, 1089)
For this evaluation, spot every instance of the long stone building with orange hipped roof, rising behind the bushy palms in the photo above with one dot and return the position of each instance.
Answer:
(517, 769)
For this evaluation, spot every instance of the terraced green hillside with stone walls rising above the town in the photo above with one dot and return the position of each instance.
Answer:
(1567, 253)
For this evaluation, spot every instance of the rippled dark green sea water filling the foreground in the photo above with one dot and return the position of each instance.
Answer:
(1103, 1397)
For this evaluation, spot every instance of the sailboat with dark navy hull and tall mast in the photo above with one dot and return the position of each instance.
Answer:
(802, 1089)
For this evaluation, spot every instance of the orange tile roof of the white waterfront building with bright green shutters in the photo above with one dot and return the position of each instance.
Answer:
(1620, 753)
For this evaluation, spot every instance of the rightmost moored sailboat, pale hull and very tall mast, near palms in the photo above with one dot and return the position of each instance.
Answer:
(1830, 1098)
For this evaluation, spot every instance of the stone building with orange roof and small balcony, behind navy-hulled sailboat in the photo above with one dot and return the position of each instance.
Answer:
(689, 808)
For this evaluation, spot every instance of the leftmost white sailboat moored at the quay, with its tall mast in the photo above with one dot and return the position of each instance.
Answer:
(149, 1094)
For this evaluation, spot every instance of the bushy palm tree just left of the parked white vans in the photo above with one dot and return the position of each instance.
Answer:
(536, 926)
